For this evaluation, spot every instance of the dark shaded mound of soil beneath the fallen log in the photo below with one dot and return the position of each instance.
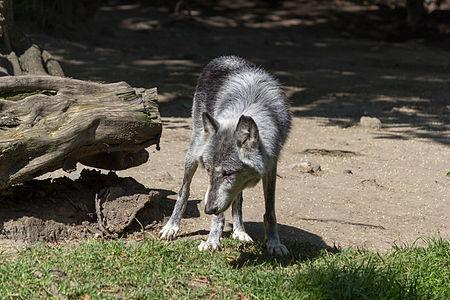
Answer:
(93, 205)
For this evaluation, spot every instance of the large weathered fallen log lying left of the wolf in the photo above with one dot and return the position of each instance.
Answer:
(48, 122)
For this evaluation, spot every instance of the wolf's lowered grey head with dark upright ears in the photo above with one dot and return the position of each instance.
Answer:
(233, 157)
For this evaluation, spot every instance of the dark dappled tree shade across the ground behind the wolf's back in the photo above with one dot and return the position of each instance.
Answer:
(336, 61)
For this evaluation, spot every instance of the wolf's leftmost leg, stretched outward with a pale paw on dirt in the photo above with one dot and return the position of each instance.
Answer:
(170, 230)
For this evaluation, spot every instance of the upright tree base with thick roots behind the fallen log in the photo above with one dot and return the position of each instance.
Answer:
(18, 55)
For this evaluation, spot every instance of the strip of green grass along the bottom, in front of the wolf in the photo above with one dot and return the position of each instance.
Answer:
(151, 269)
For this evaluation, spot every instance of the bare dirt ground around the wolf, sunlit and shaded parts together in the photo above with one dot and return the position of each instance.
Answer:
(374, 188)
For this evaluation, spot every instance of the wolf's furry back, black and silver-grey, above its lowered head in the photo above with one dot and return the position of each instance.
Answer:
(230, 86)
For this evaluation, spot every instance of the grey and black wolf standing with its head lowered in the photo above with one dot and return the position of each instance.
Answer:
(240, 121)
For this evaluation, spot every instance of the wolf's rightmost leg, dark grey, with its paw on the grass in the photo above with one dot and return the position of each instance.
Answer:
(273, 244)
